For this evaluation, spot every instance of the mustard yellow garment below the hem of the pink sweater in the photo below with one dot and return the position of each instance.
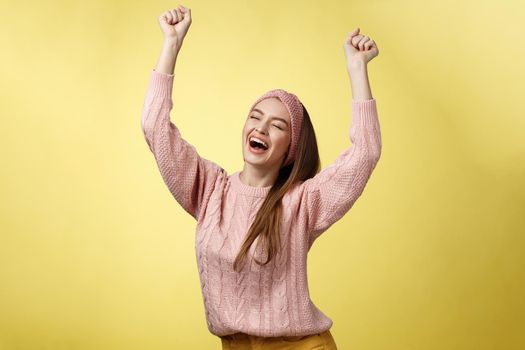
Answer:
(243, 341)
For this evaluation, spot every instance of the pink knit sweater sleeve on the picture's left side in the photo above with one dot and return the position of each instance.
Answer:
(189, 177)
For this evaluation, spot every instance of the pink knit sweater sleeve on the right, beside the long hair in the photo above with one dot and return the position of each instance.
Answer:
(328, 195)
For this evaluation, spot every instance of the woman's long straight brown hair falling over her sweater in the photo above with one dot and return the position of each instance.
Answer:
(266, 223)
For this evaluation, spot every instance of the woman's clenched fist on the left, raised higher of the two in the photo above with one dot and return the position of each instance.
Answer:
(175, 23)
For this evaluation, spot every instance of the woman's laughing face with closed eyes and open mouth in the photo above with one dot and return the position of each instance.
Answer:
(268, 121)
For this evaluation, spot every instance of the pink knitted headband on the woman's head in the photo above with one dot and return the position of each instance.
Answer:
(295, 109)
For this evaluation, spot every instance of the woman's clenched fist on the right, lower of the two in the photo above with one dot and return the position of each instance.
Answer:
(359, 49)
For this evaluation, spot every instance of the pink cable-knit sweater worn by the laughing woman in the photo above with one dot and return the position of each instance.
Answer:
(271, 300)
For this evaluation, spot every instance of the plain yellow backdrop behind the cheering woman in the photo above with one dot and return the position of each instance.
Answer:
(96, 254)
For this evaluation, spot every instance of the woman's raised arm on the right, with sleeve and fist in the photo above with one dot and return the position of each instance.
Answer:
(332, 192)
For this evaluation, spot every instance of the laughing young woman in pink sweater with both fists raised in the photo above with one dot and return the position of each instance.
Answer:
(255, 227)
